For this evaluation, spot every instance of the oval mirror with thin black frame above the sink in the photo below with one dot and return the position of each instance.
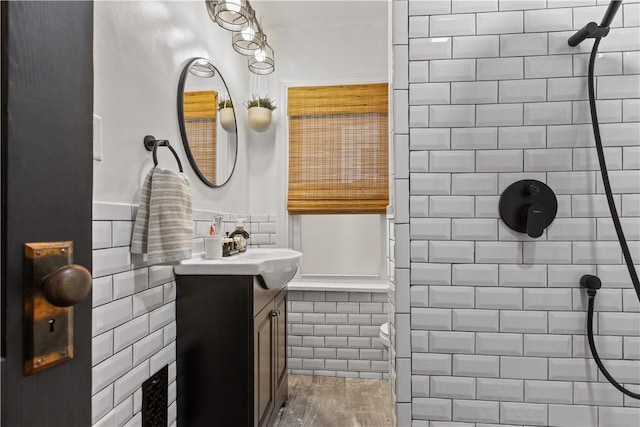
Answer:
(207, 122)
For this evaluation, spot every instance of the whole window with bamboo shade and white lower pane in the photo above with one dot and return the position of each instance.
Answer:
(338, 179)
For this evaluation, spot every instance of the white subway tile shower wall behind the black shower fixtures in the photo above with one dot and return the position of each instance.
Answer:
(491, 325)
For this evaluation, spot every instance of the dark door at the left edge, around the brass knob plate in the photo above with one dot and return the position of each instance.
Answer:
(47, 174)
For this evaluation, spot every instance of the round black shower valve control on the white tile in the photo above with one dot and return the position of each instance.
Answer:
(528, 206)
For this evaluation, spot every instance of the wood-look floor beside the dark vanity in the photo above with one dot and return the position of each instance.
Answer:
(316, 401)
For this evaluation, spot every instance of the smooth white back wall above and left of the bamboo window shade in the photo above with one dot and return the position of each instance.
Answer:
(315, 43)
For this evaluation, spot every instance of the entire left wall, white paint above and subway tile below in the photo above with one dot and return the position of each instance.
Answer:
(140, 48)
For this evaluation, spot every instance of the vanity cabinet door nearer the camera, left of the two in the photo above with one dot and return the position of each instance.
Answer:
(263, 386)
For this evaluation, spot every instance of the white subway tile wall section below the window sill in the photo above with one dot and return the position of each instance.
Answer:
(337, 334)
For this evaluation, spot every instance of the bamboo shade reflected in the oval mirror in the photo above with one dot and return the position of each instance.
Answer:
(200, 124)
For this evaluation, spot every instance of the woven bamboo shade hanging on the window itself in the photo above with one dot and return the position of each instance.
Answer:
(338, 149)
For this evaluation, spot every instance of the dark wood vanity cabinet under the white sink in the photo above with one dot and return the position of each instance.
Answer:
(231, 351)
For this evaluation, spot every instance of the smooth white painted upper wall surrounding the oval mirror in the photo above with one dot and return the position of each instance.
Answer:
(140, 48)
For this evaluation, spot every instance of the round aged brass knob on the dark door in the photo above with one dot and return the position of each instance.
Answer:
(67, 286)
